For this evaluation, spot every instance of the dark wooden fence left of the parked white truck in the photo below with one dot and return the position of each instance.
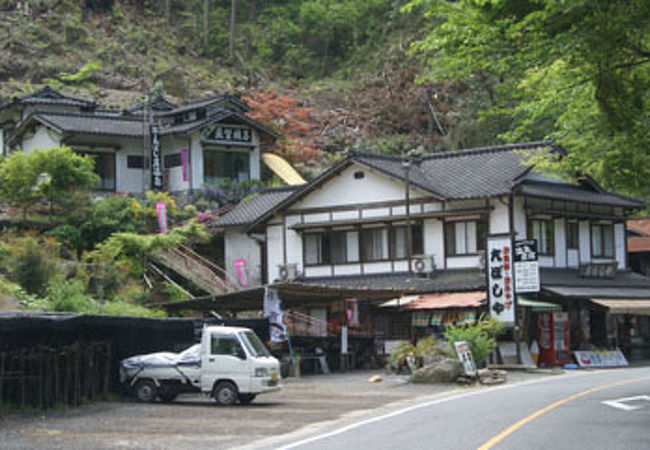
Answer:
(42, 377)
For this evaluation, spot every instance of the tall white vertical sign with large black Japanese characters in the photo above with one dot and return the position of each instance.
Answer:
(500, 283)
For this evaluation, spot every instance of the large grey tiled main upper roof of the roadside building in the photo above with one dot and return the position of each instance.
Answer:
(469, 174)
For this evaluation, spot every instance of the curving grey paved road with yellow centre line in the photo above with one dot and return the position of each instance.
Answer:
(565, 411)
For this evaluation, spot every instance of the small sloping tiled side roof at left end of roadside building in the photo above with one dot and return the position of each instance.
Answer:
(253, 208)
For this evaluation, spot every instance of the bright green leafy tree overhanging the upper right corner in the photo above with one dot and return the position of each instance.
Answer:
(574, 71)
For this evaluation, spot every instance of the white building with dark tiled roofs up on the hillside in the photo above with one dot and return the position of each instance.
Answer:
(163, 146)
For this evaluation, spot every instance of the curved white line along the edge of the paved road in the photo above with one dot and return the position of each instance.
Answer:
(424, 405)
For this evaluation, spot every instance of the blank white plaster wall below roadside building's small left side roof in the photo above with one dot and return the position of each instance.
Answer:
(238, 245)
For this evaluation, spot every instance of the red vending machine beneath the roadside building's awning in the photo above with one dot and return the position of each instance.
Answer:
(553, 338)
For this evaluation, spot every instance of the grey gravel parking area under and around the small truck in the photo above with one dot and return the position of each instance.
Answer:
(195, 421)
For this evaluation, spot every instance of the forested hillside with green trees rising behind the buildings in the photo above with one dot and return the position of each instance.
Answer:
(386, 75)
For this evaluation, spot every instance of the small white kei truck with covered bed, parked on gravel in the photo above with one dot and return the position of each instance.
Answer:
(230, 364)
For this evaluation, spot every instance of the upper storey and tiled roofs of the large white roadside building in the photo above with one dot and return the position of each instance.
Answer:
(347, 228)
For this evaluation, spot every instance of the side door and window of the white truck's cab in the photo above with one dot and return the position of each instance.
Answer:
(226, 360)
